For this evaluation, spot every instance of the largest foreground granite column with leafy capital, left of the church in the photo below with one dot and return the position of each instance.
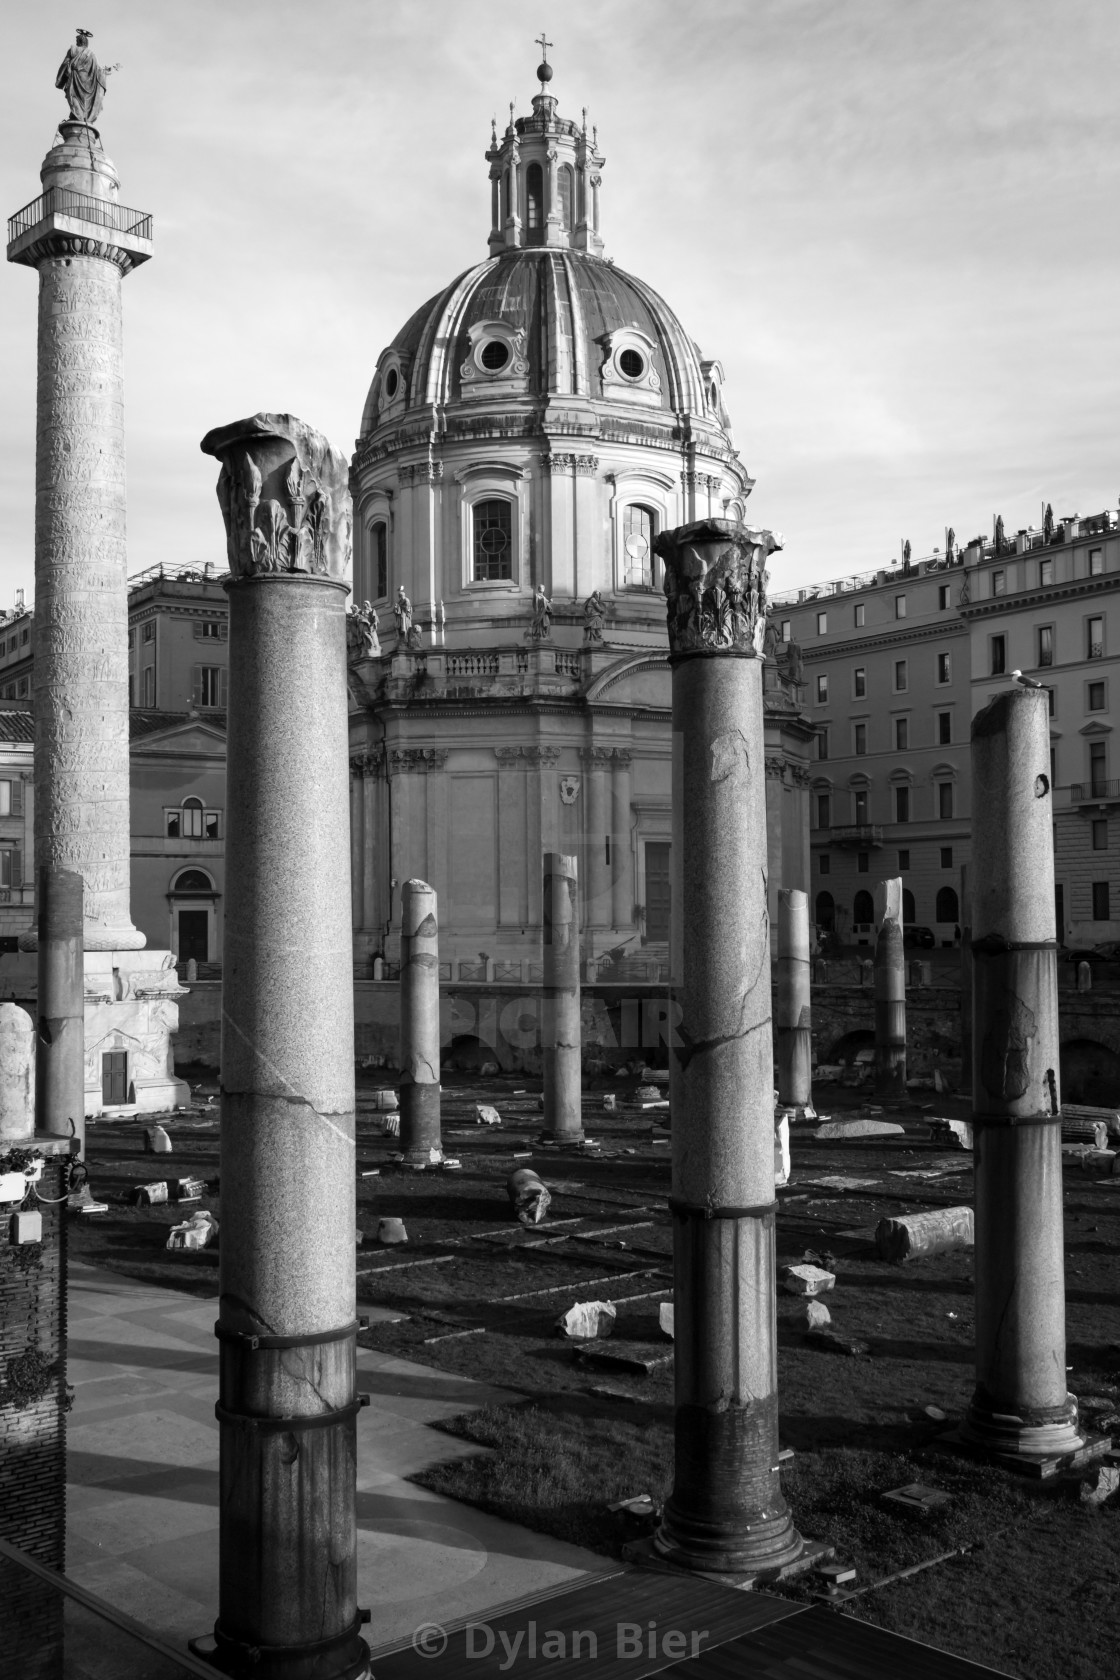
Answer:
(286, 1313)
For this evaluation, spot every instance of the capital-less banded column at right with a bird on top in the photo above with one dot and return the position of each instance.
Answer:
(1022, 1404)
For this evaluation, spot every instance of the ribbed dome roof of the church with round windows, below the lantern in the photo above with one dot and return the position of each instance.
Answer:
(573, 312)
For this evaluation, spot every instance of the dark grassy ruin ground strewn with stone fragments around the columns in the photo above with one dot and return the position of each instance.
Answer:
(1035, 1582)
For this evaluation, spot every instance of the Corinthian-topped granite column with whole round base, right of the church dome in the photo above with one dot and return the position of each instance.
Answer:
(726, 1515)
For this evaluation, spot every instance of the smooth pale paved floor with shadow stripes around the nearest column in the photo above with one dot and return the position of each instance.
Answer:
(144, 1478)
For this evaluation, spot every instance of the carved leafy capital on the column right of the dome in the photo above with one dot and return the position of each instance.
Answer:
(716, 585)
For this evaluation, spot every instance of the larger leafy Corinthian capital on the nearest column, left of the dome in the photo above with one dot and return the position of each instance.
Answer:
(285, 496)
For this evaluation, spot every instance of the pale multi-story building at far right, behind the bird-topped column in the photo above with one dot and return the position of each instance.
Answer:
(1042, 602)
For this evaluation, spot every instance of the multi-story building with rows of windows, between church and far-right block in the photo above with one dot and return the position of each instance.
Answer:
(889, 690)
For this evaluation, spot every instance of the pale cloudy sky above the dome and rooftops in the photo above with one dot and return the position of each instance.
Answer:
(892, 221)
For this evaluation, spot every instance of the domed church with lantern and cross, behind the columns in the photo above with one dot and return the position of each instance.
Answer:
(526, 436)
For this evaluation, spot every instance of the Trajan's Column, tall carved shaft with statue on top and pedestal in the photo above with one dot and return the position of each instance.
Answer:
(83, 243)
